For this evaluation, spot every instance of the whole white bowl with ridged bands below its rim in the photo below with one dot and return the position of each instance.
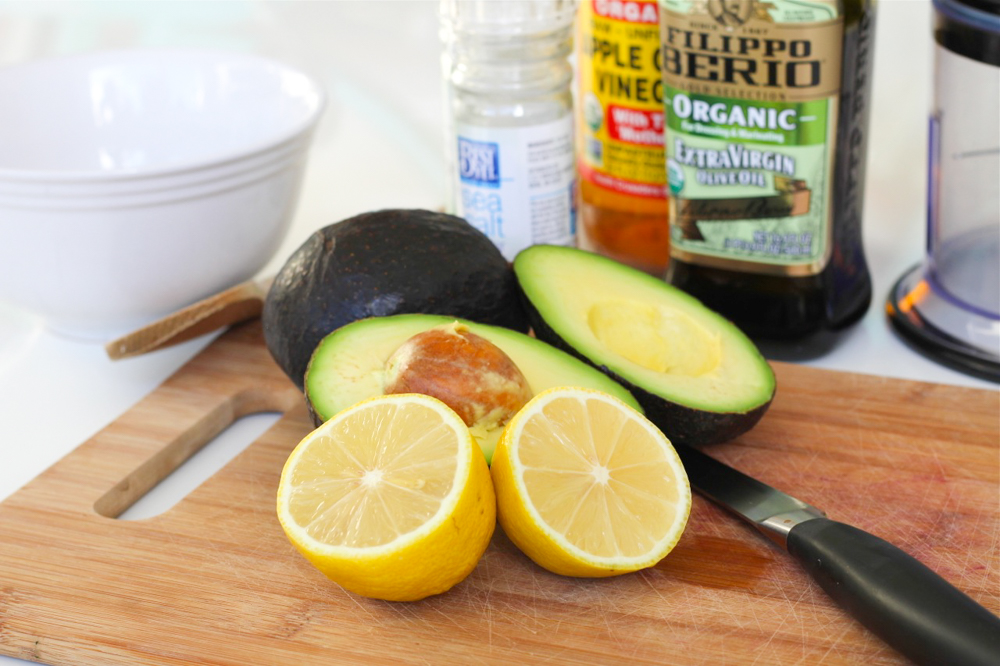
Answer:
(135, 182)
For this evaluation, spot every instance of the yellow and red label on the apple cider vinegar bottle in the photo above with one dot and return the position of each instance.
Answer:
(621, 95)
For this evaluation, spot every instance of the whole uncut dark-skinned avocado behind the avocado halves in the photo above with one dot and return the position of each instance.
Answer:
(382, 263)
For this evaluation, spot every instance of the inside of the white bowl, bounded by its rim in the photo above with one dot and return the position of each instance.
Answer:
(146, 112)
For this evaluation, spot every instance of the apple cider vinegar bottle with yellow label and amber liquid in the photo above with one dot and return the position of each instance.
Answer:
(623, 206)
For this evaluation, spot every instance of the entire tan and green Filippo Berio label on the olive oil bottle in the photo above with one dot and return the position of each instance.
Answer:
(751, 97)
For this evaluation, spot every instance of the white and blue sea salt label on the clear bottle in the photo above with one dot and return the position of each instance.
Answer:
(516, 184)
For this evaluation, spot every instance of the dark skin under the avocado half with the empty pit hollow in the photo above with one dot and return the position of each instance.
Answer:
(681, 425)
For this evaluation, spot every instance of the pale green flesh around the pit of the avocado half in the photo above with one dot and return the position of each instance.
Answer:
(348, 365)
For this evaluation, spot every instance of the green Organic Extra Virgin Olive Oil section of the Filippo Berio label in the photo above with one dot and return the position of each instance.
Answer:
(749, 180)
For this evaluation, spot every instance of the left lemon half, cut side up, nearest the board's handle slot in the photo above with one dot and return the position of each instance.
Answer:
(391, 498)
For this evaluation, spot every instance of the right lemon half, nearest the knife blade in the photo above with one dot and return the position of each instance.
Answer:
(587, 486)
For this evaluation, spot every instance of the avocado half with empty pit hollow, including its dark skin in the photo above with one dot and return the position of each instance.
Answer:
(697, 376)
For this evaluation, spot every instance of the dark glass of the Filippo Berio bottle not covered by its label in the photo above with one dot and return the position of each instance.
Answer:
(798, 317)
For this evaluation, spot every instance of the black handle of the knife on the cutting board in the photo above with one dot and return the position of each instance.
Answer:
(902, 601)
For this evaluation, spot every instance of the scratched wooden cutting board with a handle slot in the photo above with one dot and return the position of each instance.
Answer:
(214, 581)
